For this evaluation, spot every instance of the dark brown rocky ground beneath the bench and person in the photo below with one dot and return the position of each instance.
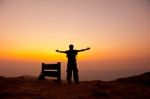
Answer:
(26, 87)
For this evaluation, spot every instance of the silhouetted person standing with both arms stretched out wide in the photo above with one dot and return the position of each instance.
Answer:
(72, 65)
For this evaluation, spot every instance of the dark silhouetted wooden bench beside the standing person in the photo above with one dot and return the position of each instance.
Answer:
(51, 70)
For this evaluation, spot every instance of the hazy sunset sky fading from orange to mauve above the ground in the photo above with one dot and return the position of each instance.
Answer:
(117, 31)
